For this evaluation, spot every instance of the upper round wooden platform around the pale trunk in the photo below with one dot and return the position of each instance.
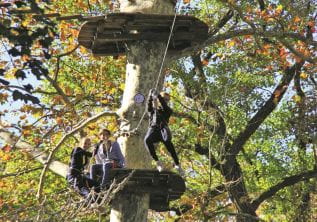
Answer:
(108, 35)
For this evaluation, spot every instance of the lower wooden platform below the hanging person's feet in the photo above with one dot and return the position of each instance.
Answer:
(163, 187)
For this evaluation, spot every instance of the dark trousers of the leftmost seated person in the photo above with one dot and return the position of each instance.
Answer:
(80, 183)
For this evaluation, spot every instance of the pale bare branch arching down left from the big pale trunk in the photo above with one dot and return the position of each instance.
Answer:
(62, 140)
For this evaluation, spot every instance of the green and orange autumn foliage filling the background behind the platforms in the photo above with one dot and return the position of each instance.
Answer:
(244, 102)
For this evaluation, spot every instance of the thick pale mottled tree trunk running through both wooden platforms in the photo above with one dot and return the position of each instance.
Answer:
(144, 60)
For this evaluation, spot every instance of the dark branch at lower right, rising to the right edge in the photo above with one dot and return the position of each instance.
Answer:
(288, 181)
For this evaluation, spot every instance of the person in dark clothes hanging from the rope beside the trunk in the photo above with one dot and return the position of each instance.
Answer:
(158, 128)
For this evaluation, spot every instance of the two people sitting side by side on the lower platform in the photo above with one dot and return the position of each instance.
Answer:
(107, 154)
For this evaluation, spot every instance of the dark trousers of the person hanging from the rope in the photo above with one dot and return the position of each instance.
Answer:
(155, 135)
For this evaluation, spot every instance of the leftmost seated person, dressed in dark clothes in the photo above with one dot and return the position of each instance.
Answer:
(75, 176)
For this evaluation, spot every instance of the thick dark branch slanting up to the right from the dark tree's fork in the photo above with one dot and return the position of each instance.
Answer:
(266, 109)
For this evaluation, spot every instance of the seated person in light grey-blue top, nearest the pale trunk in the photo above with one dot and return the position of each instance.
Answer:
(108, 155)
